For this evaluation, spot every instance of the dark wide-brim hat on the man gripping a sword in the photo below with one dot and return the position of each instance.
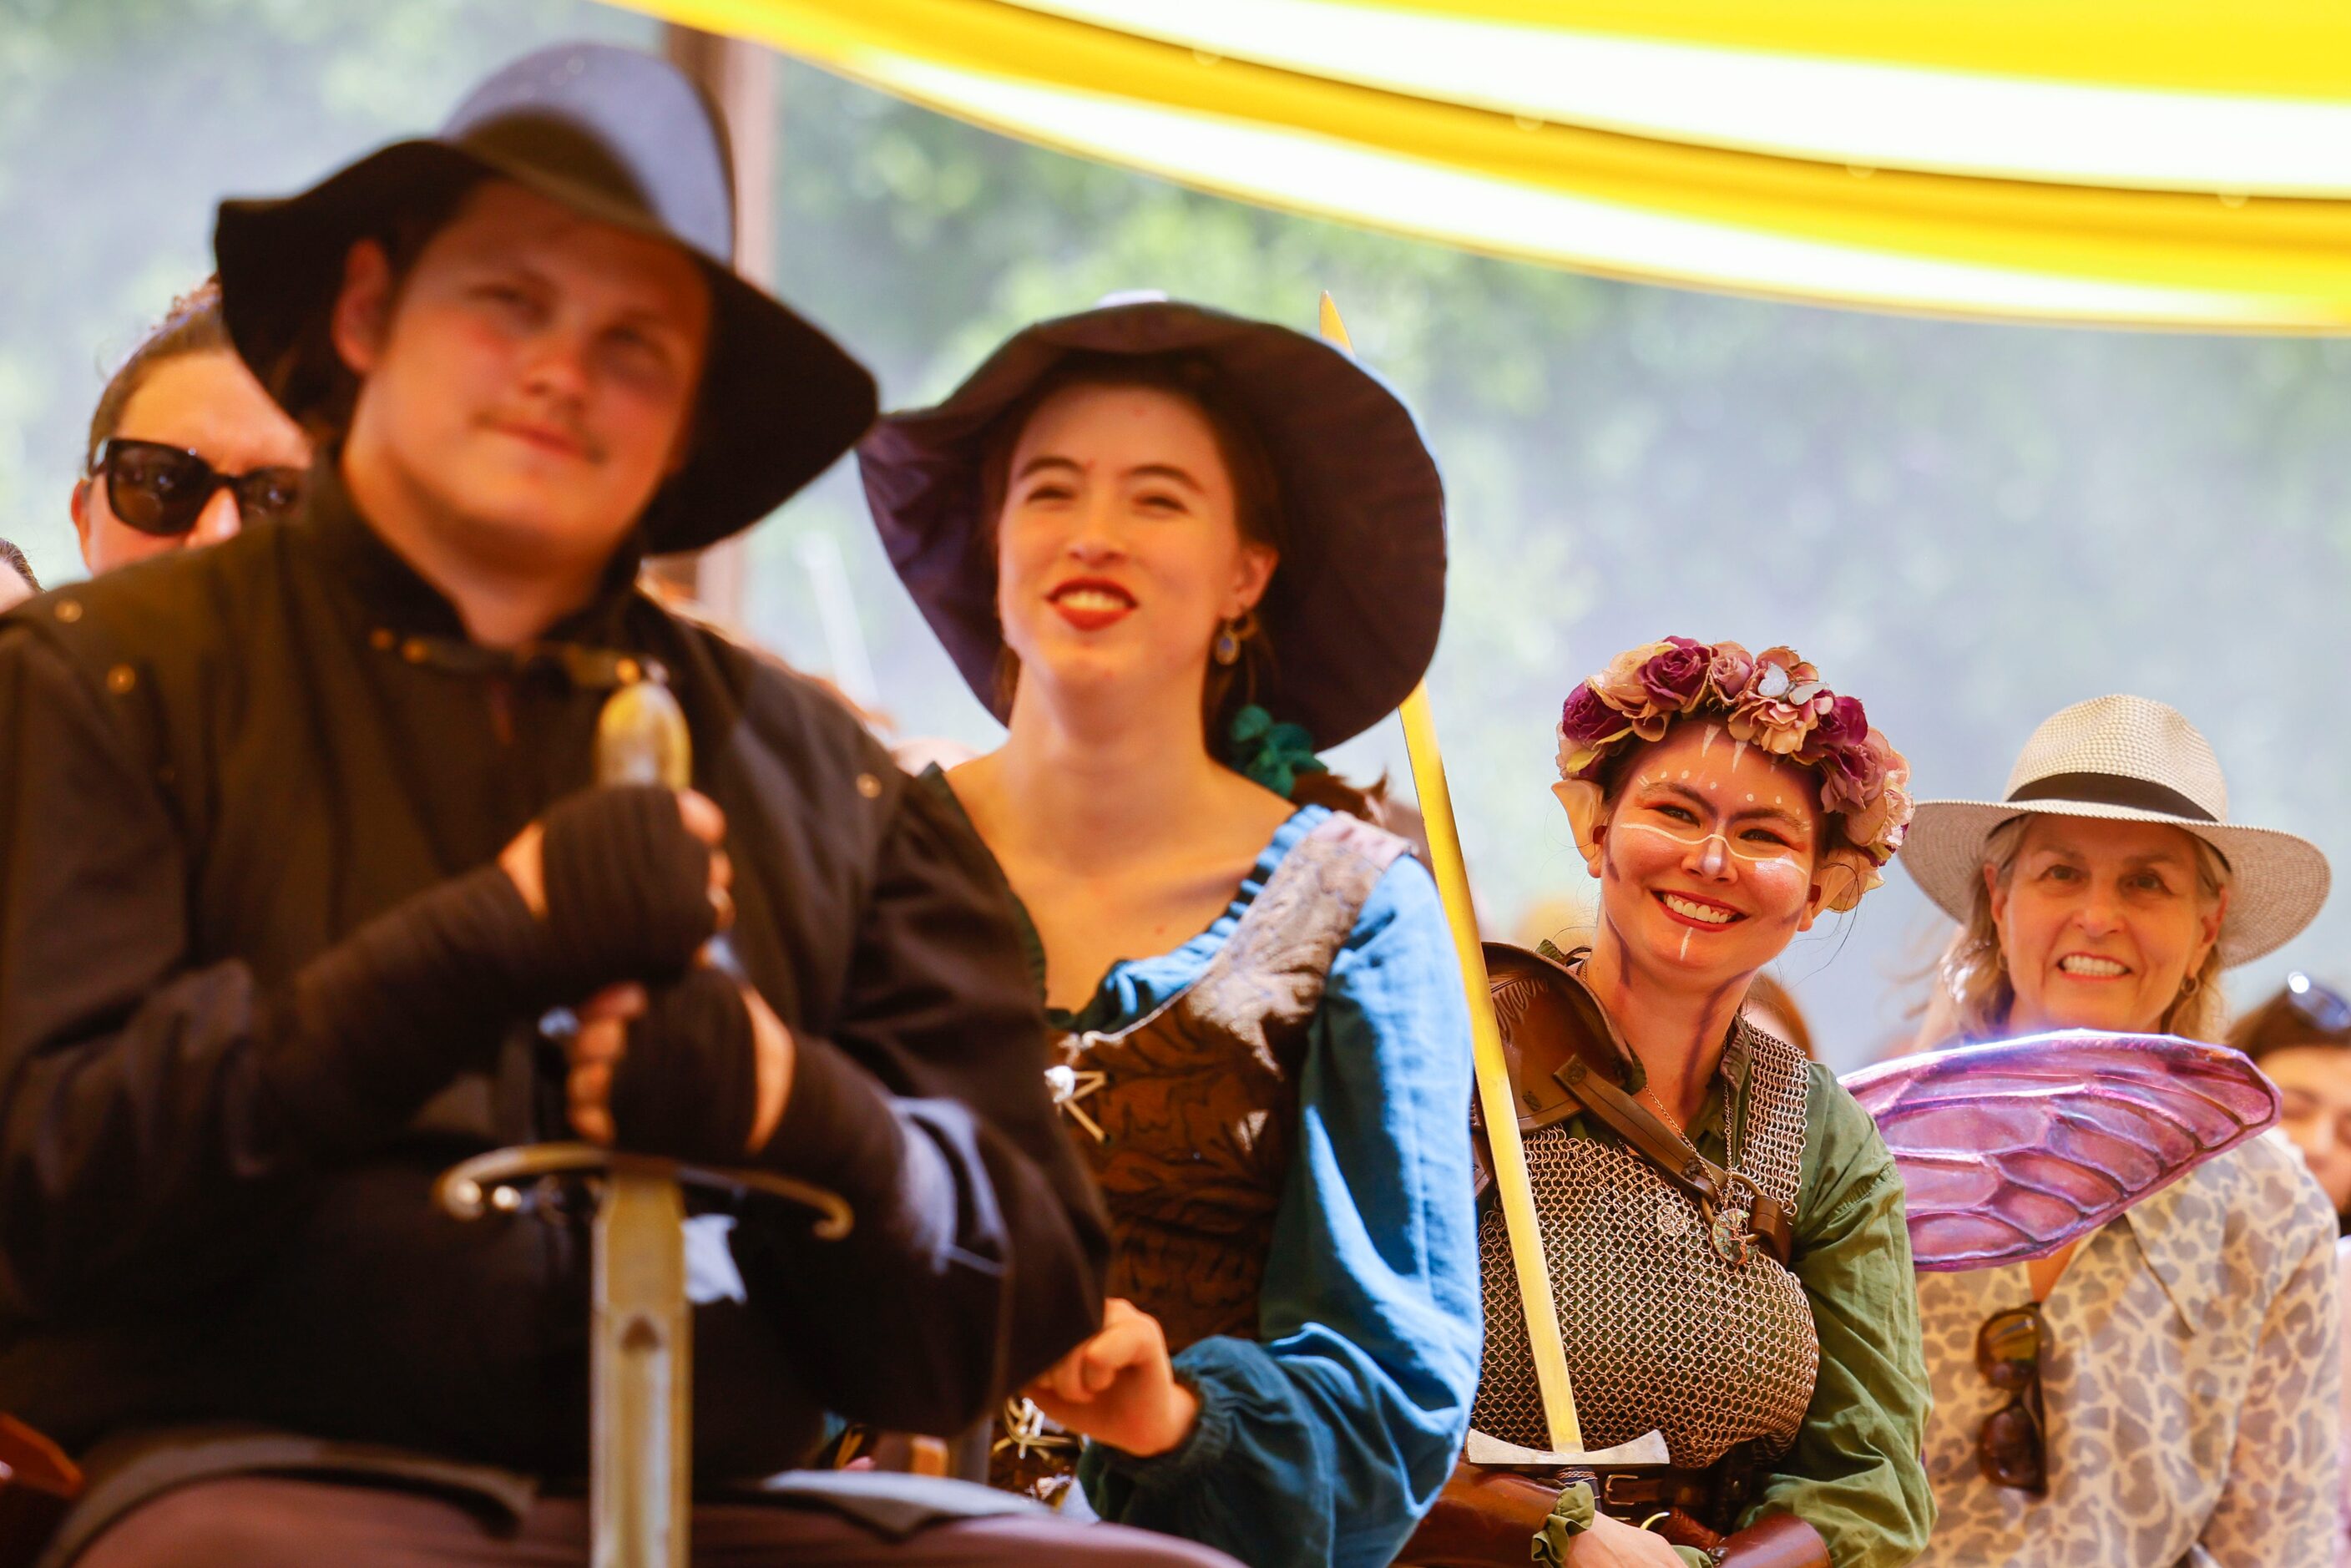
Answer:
(624, 140)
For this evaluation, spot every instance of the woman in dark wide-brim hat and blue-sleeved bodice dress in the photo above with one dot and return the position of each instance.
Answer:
(1174, 551)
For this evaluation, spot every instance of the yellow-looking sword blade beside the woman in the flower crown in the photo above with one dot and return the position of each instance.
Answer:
(1511, 1179)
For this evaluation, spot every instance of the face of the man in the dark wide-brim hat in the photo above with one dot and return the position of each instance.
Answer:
(530, 382)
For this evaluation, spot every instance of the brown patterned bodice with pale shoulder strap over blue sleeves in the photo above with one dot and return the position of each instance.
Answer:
(1188, 1115)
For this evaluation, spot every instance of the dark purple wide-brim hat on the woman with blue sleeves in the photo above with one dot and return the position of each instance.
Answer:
(1358, 598)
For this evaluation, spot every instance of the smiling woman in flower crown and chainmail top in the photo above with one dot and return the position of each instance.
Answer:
(1722, 1221)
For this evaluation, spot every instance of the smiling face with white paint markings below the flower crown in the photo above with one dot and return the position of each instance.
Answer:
(1708, 857)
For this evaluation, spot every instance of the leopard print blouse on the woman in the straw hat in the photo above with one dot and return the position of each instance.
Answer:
(2192, 1386)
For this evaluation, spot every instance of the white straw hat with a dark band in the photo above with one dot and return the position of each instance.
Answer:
(2129, 760)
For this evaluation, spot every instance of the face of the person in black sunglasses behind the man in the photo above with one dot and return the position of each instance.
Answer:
(203, 403)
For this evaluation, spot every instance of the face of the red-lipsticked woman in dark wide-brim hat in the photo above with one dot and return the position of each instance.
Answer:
(1120, 549)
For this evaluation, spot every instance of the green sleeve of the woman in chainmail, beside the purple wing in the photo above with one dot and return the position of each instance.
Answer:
(1854, 1473)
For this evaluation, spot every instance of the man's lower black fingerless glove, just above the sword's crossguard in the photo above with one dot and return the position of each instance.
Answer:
(688, 1085)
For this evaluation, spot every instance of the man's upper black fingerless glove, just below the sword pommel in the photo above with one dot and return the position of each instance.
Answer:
(629, 890)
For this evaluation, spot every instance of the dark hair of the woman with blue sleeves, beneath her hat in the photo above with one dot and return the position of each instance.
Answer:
(1257, 511)
